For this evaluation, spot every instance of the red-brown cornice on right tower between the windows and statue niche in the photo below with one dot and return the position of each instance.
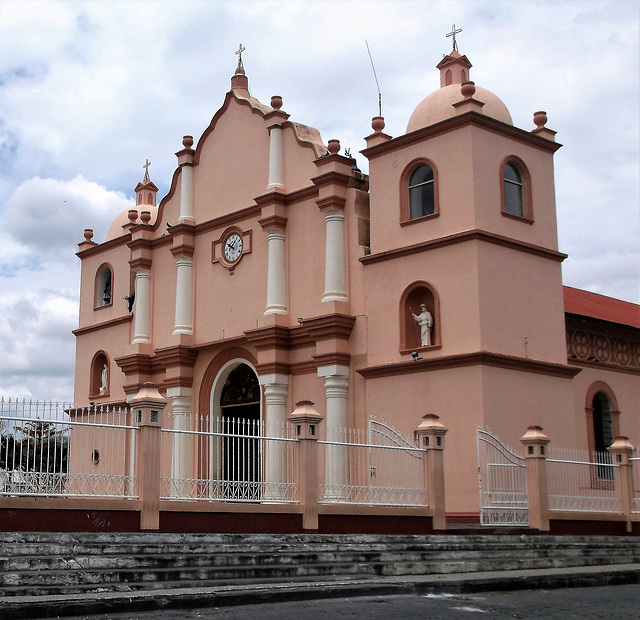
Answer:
(463, 237)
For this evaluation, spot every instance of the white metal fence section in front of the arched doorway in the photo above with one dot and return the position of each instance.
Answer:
(229, 459)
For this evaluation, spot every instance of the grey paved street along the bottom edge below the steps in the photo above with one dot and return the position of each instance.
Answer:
(620, 602)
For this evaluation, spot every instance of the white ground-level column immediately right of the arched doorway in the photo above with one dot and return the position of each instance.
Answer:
(275, 395)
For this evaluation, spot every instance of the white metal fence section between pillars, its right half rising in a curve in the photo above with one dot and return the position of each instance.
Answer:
(377, 466)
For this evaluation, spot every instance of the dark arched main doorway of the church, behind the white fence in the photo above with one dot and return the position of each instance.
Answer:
(236, 409)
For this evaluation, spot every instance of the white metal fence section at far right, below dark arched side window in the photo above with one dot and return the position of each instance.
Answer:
(582, 482)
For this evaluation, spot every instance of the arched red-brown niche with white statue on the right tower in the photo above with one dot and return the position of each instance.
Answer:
(419, 318)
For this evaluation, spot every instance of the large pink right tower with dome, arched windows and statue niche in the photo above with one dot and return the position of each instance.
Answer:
(464, 250)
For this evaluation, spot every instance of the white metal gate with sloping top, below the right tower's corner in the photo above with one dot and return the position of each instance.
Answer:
(502, 483)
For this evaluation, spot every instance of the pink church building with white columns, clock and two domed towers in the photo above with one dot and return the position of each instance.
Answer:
(274, 271)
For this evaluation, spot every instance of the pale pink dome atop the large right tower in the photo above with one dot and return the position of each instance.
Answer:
(438, 106)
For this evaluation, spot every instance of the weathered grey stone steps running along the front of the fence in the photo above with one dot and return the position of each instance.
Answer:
(45, 564)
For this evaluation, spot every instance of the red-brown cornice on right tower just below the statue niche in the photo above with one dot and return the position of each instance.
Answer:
(477, 358)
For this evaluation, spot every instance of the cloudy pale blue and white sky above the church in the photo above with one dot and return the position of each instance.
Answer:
(90, 89)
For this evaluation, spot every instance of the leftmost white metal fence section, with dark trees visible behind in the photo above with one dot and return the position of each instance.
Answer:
(51, 448)
